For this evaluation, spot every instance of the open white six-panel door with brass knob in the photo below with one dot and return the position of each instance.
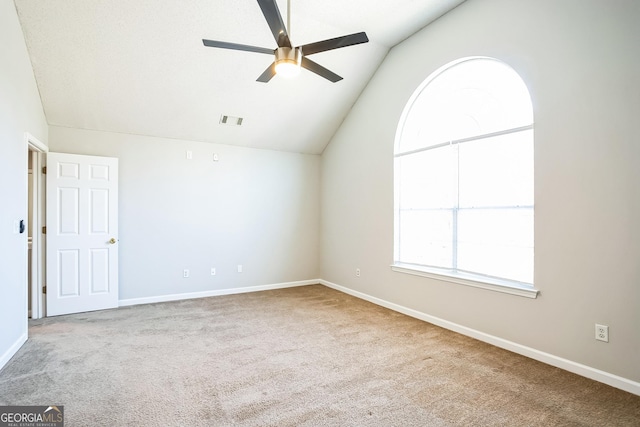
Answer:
(82, 233)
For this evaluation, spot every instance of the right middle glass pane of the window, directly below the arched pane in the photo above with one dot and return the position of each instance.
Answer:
(497, 171)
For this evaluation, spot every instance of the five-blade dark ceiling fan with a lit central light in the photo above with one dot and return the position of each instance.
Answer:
(289, 59)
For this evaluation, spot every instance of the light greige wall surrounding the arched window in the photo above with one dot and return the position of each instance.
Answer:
(581, 61)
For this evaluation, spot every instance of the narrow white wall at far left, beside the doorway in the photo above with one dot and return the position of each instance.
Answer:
(20, 112)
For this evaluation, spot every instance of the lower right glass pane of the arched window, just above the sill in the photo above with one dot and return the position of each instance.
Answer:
(496, 242)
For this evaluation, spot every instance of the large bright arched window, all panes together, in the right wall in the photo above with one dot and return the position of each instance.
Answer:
(464, 176)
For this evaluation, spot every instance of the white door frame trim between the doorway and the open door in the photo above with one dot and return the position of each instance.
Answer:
(38, 309)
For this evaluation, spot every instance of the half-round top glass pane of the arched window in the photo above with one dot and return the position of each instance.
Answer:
(473, 97)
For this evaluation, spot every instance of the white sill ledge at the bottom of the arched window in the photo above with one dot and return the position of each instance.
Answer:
(489, 283)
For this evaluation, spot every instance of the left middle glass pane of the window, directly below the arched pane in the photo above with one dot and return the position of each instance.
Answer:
(427, 179)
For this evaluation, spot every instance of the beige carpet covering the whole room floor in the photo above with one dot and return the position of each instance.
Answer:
(307, 356)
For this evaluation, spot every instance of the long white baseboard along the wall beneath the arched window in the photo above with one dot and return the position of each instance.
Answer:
(568, 365)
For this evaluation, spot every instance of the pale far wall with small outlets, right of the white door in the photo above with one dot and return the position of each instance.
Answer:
(257, 208)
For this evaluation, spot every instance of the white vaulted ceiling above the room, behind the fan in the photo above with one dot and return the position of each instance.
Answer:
(139, 66)
